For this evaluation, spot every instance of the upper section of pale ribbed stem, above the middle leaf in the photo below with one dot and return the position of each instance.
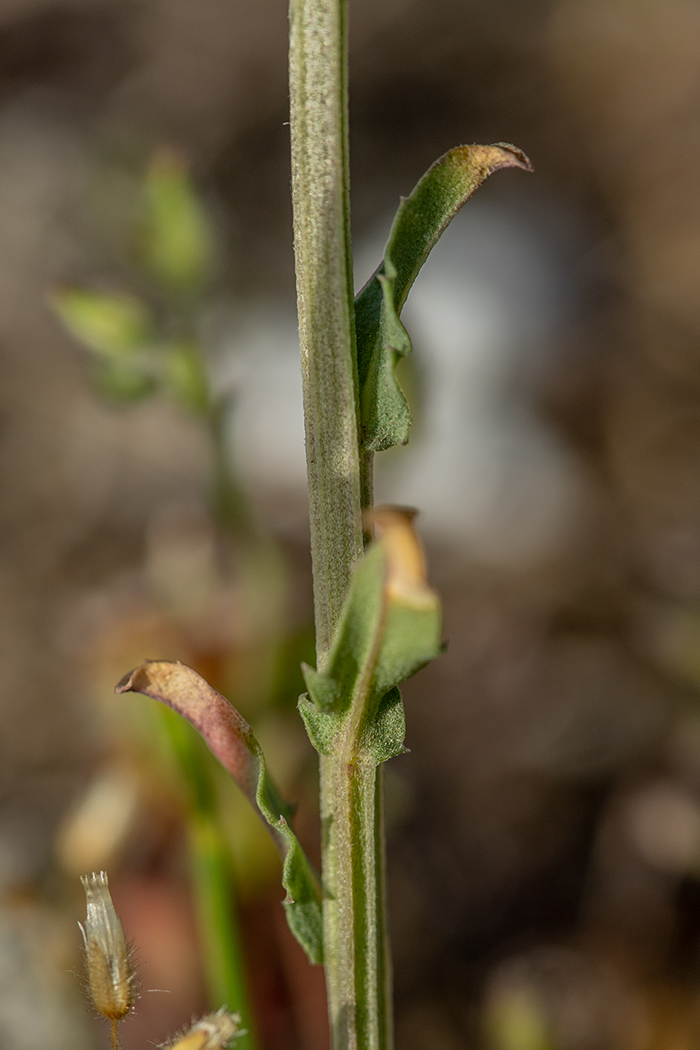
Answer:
(319, 119)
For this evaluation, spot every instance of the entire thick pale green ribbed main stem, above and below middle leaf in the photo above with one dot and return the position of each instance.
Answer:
(355, 940)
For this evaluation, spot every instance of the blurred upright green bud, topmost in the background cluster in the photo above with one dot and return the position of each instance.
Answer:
(177, 239)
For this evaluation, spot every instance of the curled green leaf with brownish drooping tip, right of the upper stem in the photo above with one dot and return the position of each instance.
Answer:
(420, 222)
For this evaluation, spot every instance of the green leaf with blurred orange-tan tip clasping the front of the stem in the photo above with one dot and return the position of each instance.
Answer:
(391, 627)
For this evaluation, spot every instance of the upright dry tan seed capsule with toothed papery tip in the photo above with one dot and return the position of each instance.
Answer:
(111, 975)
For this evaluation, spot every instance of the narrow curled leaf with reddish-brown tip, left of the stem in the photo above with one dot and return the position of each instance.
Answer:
(231, 740)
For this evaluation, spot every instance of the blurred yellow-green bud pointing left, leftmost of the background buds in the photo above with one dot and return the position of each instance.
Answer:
(111, 324)
